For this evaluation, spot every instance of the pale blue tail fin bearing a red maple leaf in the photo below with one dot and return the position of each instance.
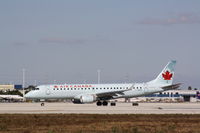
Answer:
(166, 76)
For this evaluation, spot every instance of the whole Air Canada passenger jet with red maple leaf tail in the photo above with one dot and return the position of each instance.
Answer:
(102, 93)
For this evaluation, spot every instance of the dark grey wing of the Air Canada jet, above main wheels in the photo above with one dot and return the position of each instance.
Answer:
(109, 95)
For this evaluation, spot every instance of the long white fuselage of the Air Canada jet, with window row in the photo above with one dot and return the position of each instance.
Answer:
(71, 91)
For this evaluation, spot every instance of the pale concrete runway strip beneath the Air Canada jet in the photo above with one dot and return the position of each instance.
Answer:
(120, 108)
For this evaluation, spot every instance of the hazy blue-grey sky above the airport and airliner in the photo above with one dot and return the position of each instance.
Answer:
(66, 41)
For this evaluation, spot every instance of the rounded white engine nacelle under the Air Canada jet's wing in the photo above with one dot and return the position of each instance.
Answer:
(87, 98)
